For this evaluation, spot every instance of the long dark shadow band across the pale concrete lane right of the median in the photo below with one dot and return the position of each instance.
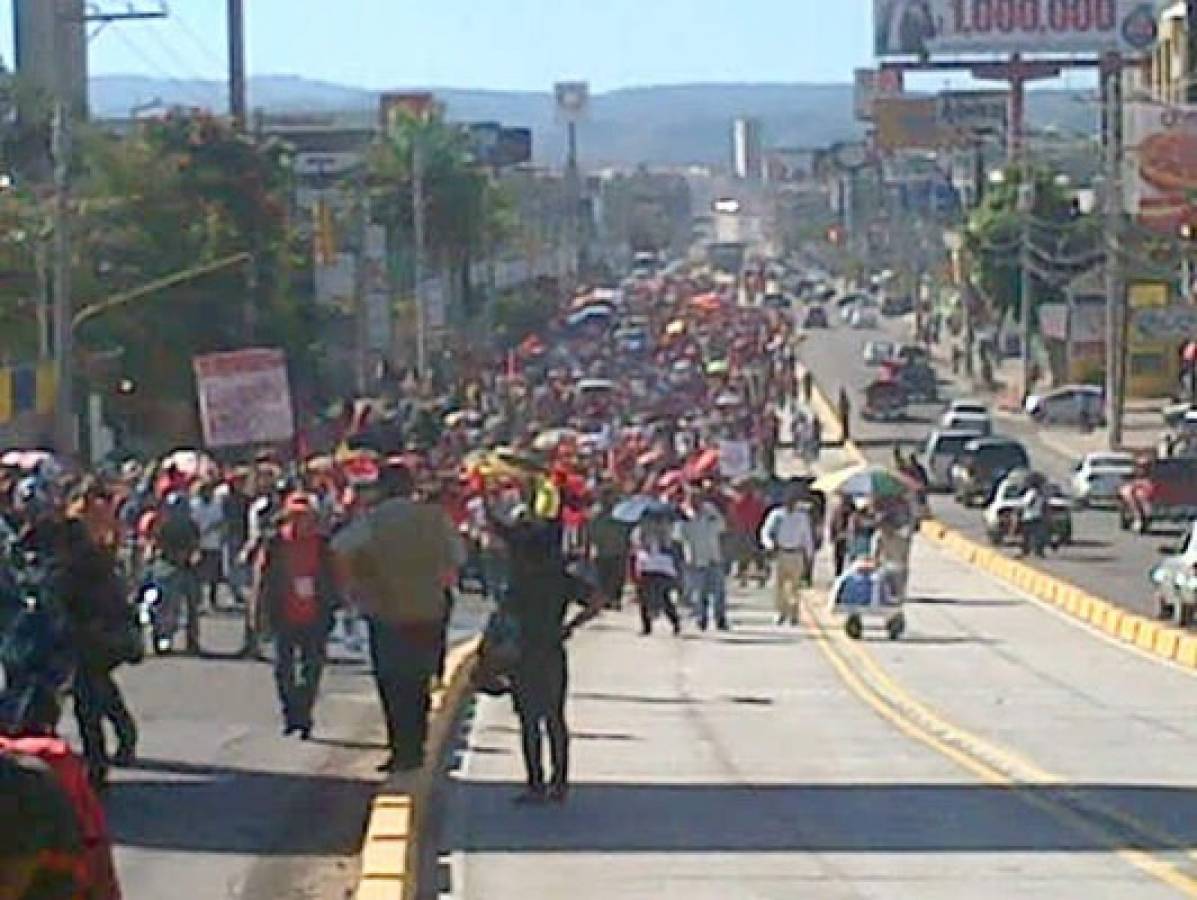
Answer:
(811, 818)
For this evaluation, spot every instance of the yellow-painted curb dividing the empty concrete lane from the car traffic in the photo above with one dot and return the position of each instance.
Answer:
(1147, 636)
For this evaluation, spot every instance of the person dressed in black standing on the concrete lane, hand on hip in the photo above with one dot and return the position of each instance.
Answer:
(542, 591)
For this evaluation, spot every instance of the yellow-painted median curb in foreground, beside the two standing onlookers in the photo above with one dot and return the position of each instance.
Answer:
(391, 854)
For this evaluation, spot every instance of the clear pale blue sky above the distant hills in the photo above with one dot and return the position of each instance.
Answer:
(500, 44)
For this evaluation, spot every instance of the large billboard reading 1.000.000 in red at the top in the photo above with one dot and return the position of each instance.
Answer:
(934, 28)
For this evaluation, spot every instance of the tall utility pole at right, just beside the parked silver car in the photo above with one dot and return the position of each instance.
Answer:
(1116, 291)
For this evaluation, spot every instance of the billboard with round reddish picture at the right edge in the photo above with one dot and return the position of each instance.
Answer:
(1162, 165)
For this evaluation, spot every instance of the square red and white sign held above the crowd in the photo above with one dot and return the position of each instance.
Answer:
(245, 398)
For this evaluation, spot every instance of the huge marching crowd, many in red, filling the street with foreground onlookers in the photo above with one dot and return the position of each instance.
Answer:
(634, 442)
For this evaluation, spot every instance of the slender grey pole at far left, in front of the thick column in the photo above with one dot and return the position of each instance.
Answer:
(66, 428)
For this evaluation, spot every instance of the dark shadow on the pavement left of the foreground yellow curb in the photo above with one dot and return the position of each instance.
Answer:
(216, 810)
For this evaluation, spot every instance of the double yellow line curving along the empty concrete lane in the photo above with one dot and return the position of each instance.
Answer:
(991, 763)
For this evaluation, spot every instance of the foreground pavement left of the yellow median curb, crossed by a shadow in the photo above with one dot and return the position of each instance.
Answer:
(226, 805)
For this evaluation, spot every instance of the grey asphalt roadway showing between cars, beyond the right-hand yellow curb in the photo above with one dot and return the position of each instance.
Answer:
(1105, 561)
